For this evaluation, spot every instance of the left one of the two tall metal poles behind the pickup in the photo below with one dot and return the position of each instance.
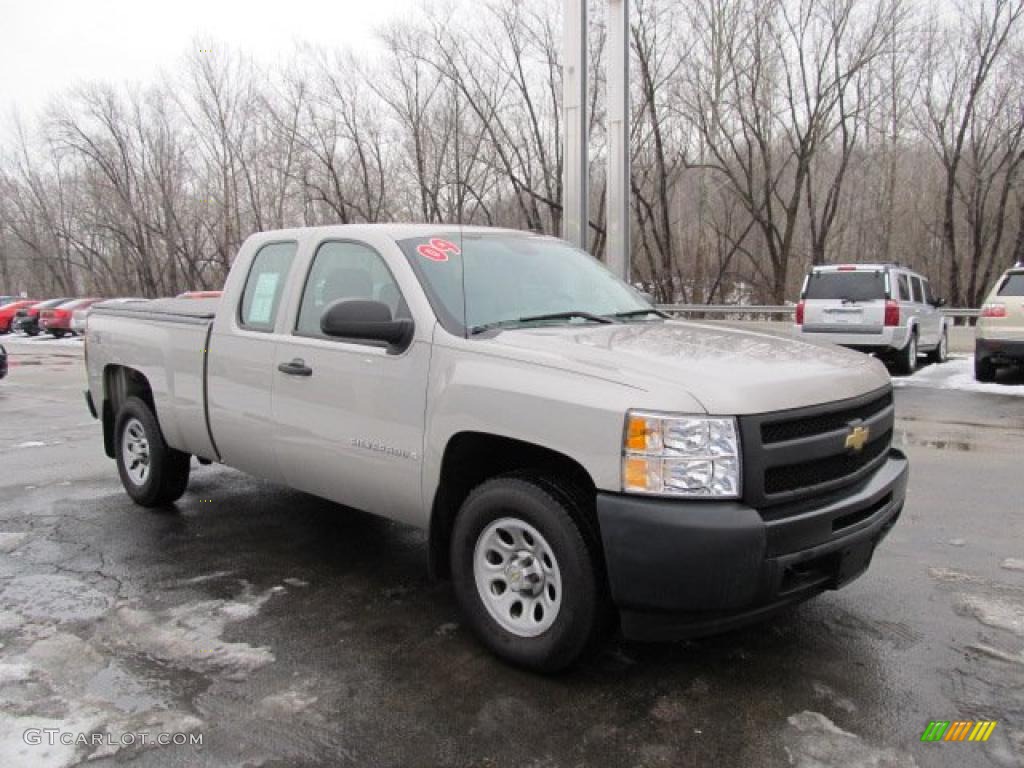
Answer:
(576, 188)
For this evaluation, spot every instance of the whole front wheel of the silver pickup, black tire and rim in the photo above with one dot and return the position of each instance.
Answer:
(526, 574)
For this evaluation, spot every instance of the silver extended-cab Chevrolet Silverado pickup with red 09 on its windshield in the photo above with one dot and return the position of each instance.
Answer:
(576, 457)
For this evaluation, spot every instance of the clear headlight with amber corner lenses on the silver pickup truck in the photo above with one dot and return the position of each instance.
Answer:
(690, 456)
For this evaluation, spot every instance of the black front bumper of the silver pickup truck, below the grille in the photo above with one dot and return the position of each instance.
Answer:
(681, 569)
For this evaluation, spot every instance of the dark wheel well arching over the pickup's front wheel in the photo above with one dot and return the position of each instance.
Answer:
(472, 458)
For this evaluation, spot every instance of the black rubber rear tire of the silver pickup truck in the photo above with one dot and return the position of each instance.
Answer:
(167, 478)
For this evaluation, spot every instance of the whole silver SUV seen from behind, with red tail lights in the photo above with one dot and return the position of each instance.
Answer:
(885, 310)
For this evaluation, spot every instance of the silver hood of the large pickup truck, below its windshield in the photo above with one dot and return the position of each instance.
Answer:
(728, 371)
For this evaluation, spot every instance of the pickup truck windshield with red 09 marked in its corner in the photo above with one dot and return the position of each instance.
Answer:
(513, 280)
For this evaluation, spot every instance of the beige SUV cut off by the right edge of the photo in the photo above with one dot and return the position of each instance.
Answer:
(1000, 335)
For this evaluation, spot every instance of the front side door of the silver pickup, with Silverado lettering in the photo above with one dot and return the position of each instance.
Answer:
(350, 416)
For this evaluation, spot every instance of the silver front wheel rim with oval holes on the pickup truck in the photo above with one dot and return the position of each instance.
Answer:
(518, 577)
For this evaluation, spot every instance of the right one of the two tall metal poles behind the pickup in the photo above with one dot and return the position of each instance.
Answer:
(619, 139)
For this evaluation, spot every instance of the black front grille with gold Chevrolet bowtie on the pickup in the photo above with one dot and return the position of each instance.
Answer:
(796, 455)
